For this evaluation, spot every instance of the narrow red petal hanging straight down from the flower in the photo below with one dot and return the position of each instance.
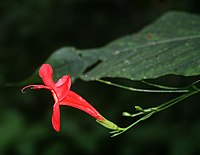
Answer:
(56, 117)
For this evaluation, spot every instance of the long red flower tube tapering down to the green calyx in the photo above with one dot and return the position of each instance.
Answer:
(74, 100)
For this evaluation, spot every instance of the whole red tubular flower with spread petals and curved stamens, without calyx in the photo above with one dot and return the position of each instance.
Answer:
(62, 95)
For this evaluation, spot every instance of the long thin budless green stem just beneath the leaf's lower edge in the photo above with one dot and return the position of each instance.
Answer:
(174, 90)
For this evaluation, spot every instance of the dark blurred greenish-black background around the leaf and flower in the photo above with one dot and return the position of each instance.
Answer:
(30, 30)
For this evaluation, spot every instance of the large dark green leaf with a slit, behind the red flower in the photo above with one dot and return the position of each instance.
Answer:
(170, 45)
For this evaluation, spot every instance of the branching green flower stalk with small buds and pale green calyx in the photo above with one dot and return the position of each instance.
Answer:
(189, 91)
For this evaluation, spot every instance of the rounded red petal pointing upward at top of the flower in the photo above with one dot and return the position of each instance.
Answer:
(46, 73)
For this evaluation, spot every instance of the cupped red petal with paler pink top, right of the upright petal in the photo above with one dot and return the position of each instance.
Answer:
(62, 87)
